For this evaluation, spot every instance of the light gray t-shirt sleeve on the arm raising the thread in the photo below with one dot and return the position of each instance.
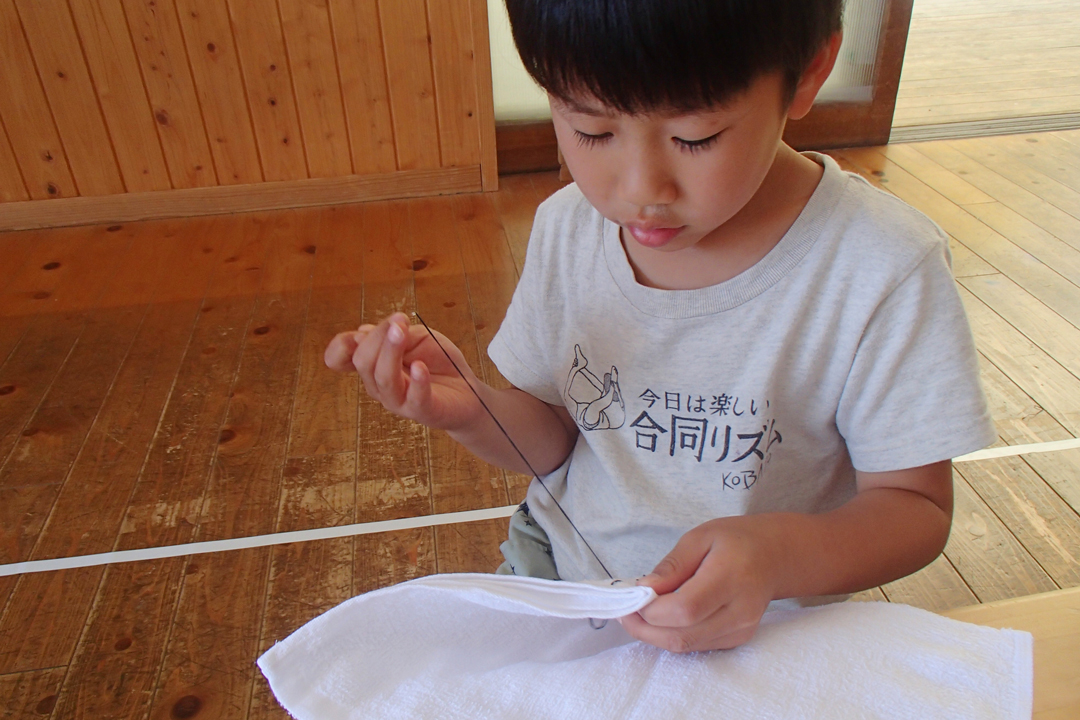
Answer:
(523, 346)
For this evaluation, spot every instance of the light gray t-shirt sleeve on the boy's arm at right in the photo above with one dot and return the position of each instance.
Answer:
(913, 396)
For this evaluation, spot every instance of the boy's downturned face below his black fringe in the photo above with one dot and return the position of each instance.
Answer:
(673, 180)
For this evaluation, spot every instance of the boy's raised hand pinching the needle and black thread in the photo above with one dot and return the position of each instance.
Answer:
(404, 370)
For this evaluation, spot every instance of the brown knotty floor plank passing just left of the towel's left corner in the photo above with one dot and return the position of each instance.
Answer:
(217, 632)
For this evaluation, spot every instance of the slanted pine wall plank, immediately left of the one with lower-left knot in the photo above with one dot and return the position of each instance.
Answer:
(112, 59)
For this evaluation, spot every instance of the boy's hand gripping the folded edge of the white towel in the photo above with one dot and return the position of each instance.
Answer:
(724, 573)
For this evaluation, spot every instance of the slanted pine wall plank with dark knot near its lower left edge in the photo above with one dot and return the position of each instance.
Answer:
(165, 63)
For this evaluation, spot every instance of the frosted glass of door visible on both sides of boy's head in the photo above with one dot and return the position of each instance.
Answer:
(518, 98)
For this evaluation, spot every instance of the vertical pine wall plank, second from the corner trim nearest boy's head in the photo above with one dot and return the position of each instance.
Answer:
(412, 88)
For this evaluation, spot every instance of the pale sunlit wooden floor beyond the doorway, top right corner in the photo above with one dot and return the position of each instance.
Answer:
(988, 60)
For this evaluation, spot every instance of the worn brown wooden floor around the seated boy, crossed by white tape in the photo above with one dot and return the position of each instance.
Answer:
(163, 384)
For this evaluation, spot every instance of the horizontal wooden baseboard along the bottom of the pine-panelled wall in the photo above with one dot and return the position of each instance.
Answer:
(34, 214)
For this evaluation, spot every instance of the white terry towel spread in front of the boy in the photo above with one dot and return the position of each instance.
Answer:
(499, 647)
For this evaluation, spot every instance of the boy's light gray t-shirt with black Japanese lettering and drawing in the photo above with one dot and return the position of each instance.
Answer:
(845, 348)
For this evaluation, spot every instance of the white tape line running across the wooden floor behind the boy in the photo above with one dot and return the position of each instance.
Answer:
(386, 526)
